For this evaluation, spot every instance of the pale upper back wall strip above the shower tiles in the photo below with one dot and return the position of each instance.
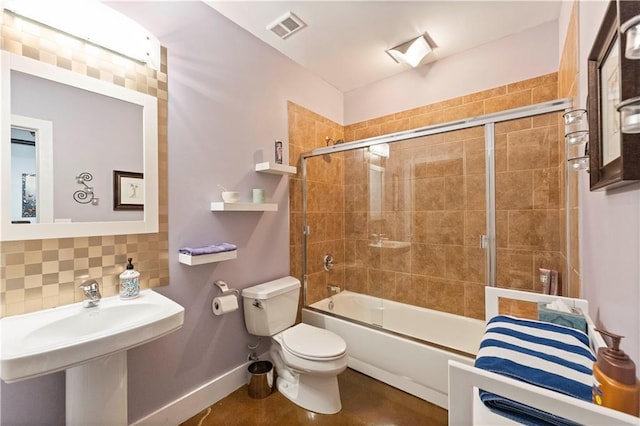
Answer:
(524, 55)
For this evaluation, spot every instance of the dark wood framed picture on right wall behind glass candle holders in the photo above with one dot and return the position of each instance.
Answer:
(614, 157)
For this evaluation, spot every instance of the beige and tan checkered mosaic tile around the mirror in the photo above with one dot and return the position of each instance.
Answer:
(39, 274)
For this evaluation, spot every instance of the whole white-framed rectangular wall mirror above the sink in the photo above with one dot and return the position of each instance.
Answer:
(63, 135)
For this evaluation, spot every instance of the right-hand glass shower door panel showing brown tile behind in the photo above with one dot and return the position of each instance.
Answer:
(528, 181)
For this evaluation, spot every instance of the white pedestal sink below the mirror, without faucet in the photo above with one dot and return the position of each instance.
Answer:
(90, 344)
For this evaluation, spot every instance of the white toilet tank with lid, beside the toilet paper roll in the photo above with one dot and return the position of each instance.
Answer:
(271, 307)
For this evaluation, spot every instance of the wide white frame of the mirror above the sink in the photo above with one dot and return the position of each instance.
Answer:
(149, 104)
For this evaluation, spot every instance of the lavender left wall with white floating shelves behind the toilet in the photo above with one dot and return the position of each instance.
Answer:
(228, 96)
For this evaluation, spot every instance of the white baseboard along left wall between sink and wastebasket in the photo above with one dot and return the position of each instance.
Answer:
(197, 400)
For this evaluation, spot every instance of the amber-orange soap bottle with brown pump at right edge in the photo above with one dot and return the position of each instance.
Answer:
(614, 378)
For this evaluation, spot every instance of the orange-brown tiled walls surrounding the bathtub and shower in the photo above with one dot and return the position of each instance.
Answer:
(528, 203)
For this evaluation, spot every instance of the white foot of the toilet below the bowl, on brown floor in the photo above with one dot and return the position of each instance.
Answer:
(319, 394)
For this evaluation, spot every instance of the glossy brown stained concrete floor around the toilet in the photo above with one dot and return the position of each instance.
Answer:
(365, 401)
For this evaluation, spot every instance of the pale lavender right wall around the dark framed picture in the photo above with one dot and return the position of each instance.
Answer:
(609, 230)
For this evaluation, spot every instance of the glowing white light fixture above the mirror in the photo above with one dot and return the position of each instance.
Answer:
(95, 22)
